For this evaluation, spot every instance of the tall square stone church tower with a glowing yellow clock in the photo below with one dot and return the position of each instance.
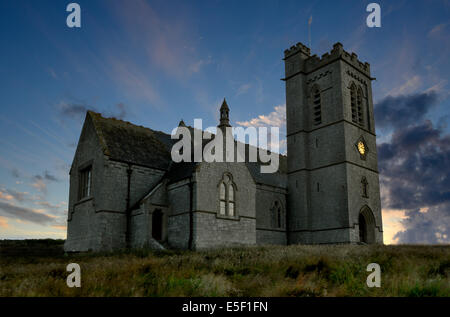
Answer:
(333, 184)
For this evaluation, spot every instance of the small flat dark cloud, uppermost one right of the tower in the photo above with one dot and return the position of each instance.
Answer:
(404, 110)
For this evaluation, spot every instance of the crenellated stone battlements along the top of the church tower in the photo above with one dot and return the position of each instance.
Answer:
(314, 62)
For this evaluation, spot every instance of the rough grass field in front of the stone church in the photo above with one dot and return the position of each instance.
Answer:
(38, 268)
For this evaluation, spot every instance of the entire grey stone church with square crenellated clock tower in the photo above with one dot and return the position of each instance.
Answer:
(125, 190)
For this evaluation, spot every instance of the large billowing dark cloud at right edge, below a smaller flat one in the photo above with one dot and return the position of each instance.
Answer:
(415, 167)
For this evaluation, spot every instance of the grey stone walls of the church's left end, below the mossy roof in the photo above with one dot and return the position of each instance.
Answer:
(98, 222)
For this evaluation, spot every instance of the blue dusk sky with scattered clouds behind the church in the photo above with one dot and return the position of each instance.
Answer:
(154, 63)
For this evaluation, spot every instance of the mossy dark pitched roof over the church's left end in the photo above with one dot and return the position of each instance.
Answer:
(126, 142)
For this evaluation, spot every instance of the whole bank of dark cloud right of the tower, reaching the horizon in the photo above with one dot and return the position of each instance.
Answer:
(415, 168)
